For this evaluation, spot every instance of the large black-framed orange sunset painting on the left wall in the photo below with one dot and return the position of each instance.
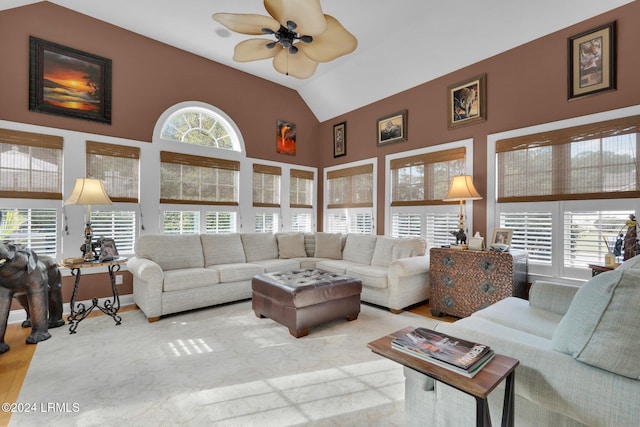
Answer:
(68, 82)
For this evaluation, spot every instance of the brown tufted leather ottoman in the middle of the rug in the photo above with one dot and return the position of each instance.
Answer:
(301, 299)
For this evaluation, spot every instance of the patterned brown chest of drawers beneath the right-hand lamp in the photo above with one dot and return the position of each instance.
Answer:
(464, 281)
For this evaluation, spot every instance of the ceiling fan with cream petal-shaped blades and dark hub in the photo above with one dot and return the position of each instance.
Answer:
(304, 36)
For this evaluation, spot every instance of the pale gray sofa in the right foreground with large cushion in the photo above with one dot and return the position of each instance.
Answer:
(578, 349)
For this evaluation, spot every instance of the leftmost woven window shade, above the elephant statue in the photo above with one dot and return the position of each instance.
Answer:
(30, 165)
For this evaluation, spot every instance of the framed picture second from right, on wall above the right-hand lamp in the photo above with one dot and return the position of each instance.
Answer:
(467, 102)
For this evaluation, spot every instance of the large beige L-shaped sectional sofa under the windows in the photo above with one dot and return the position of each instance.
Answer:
(174, 273)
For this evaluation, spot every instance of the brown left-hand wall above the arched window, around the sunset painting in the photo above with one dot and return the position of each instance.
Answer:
(148, 78)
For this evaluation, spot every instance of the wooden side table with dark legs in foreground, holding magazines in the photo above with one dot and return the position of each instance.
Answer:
(480, 386)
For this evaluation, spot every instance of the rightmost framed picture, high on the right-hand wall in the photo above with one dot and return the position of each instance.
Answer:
(592, 61)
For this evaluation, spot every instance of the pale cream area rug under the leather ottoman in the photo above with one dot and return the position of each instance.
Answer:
(219, 366)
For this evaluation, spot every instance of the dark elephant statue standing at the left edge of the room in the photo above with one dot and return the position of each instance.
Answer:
(35, 282)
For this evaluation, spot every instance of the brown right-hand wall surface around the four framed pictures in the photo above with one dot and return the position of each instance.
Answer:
(526, 86)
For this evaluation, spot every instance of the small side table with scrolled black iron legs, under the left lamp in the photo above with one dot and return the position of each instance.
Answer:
(110, 307)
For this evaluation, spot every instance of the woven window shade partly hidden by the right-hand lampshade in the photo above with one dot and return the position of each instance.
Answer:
(424, 179)
